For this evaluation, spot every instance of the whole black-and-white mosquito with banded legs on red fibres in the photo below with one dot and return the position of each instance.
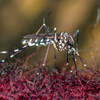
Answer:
(61, 42)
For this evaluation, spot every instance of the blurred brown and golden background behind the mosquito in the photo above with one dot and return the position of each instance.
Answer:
(22, 17)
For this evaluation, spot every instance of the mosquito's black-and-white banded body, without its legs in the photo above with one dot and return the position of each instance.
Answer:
(60, 43)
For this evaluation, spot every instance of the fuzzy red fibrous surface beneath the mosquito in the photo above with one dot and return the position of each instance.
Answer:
(49, 85)
